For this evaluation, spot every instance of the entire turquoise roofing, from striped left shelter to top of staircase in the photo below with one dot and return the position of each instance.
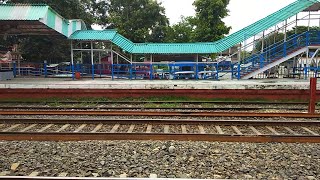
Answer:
(76, 30)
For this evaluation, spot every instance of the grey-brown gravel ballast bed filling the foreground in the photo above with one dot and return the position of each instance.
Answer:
(171, 159)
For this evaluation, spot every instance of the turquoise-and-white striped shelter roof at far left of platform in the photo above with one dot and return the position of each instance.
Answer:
(41, 13)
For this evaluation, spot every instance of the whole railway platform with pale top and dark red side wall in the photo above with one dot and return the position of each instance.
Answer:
(267, 89)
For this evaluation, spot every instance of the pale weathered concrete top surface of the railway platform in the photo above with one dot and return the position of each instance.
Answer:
(67, 83)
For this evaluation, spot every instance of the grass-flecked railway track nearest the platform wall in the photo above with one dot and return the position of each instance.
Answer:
(237, 106)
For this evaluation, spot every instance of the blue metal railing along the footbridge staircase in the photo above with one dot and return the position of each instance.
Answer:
(275, 52)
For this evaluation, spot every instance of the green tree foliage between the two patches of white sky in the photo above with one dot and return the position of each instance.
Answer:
(206, 26)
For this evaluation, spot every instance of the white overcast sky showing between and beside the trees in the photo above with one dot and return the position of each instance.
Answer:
(242, 12)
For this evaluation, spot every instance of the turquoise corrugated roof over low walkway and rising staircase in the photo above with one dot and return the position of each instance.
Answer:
(199, 48)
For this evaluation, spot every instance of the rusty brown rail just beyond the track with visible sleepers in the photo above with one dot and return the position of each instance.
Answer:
(147, 113)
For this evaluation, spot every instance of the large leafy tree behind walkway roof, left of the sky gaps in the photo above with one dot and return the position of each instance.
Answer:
(137, 20)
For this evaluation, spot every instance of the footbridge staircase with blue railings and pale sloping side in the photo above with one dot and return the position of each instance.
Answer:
(276, 54)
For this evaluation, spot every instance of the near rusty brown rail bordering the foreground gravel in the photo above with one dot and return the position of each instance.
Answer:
(31, 136)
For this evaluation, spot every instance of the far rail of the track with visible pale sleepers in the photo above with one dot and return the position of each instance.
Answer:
(159, 121)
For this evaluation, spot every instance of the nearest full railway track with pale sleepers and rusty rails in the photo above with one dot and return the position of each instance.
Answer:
(181, 130)
